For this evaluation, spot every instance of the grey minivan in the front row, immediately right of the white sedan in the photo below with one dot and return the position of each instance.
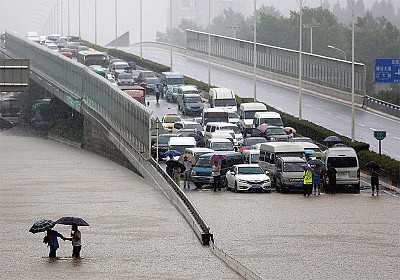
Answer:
(289, 174)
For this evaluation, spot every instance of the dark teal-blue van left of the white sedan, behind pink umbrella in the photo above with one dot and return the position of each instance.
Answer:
(202, 169)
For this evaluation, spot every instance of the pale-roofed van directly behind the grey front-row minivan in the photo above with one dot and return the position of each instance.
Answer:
(271, 151)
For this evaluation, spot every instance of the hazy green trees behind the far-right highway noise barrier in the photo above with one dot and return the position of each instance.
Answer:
(375, 36)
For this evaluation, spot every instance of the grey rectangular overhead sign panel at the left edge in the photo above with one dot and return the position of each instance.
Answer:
(14, 75)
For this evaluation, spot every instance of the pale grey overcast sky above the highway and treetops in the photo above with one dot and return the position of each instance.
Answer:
(33, 15)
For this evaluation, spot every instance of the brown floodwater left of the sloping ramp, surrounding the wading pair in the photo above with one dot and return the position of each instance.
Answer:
(134, 232)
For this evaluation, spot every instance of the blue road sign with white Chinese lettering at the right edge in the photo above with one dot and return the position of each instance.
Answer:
(387, 70)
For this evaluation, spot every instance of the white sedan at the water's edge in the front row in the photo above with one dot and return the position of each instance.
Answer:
(247, 177)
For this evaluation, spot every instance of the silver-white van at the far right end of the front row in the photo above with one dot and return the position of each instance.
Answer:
(344, 159)
